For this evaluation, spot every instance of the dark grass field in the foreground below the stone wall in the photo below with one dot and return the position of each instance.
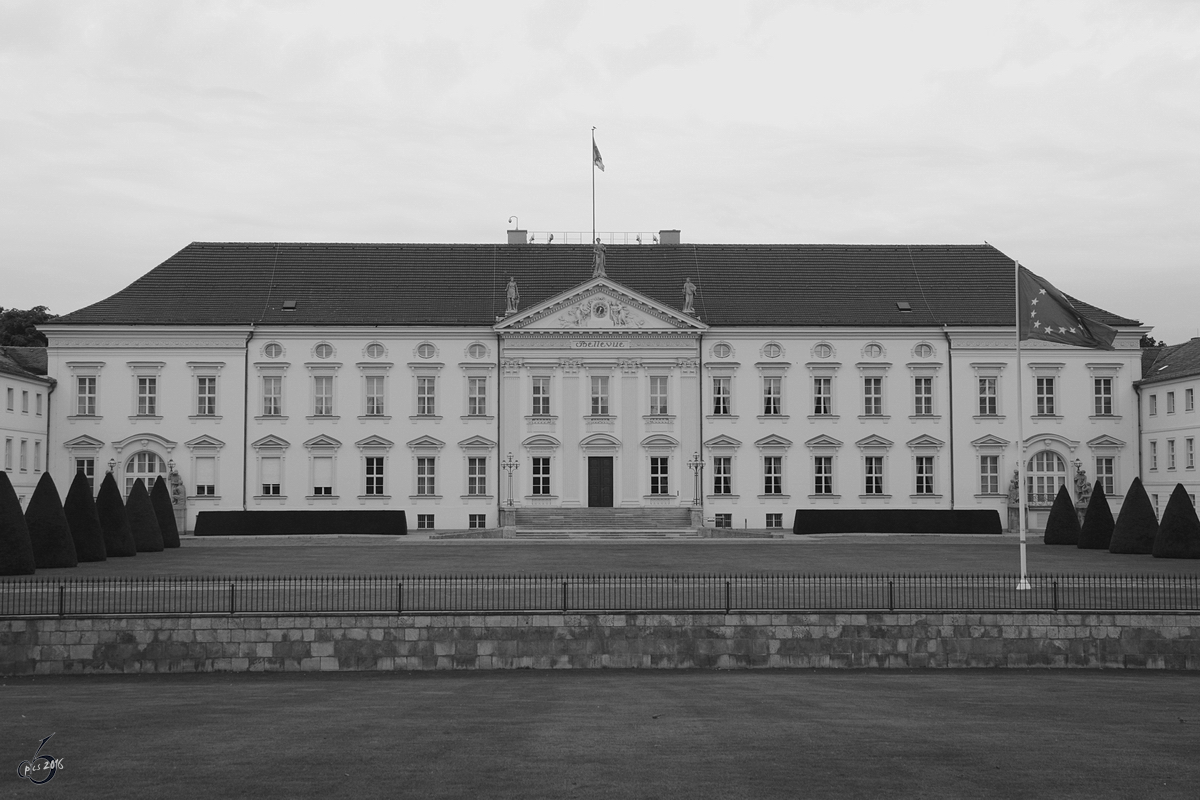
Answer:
(611, 735)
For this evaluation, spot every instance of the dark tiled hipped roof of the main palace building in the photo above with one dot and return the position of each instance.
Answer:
(211, 284)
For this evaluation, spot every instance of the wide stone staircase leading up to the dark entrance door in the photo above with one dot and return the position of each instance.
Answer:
(605, 524)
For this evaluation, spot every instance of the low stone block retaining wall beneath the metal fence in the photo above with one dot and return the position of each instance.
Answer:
(368, 643)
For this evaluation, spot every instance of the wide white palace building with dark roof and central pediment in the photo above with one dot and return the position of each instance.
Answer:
(453, 381)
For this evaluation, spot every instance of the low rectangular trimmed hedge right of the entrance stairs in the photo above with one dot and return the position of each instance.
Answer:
(896, 521)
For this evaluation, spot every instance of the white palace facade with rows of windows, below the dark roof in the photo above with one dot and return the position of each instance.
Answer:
(601, 396)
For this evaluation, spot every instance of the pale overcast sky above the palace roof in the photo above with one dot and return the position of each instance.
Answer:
(1065, 134)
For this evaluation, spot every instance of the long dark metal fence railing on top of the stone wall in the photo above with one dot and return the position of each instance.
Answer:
(423, 594)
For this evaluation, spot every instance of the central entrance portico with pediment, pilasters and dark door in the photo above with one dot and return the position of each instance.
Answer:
(608, 386)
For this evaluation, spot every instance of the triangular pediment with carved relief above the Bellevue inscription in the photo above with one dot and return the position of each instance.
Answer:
(601, 305)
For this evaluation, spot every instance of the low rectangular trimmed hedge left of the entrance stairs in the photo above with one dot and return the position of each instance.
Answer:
(278, 524)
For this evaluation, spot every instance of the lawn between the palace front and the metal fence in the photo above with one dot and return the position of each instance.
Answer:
(811, 556)
